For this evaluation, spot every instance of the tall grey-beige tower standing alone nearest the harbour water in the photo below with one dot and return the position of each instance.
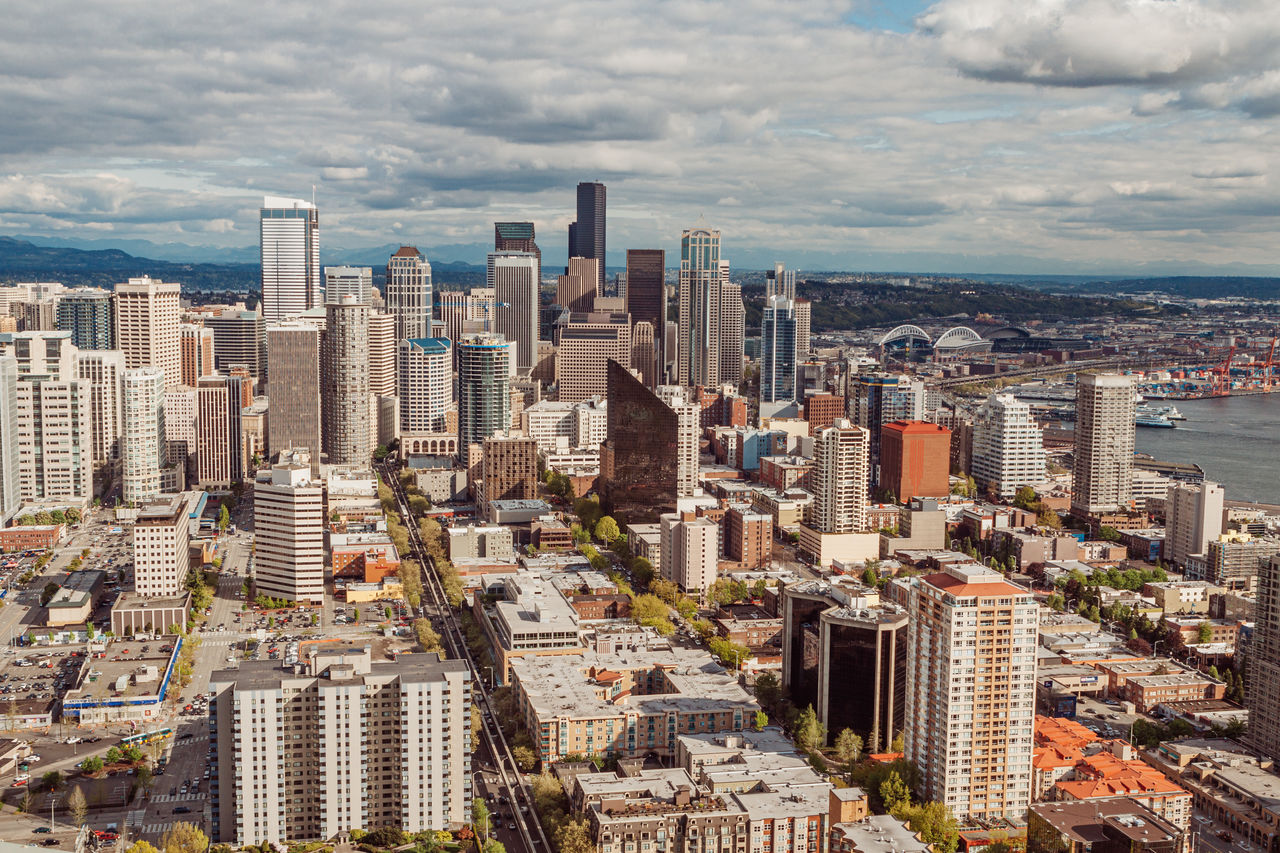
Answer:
(1103, 471)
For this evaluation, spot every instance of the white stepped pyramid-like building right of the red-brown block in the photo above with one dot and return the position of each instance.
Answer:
(1008, 446)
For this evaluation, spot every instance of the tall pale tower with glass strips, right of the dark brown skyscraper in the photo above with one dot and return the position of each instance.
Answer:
(700, 314)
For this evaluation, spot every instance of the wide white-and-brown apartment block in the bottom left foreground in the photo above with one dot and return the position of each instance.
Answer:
(340, 742)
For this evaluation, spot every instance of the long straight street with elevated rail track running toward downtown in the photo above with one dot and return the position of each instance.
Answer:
(505, 772)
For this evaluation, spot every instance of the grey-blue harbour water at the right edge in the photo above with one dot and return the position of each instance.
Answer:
(1235, 440)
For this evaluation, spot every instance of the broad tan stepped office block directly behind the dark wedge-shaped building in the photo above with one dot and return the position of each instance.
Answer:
(586, 344)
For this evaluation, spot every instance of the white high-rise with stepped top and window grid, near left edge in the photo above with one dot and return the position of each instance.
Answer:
(56, 432)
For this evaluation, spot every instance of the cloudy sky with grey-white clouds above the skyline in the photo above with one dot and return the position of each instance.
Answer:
(961, 135)
